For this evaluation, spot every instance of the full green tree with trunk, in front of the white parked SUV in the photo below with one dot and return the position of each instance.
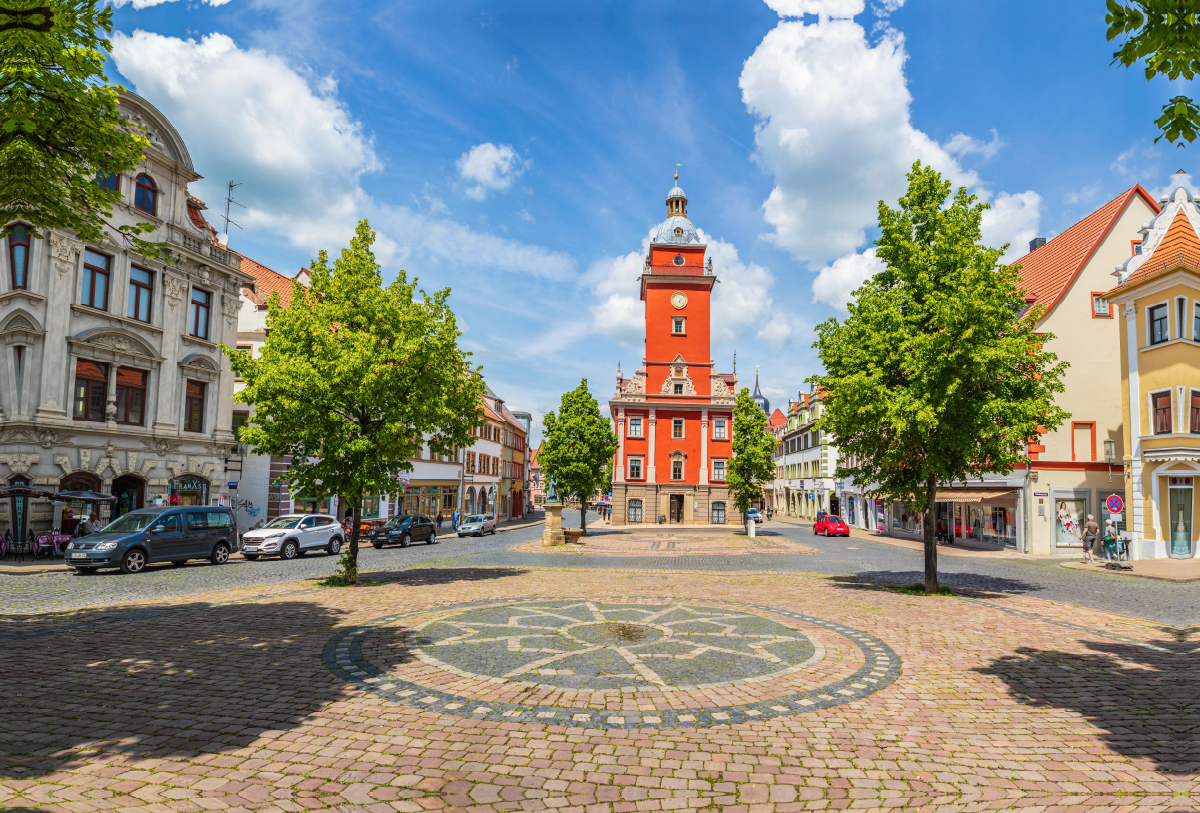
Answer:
(355, 378)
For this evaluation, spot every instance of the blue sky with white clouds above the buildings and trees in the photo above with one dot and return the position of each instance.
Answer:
(520, 152)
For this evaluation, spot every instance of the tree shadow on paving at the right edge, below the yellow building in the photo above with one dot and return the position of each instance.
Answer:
(1143, 700)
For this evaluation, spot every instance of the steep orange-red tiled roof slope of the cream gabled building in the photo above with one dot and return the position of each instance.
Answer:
(1049, 272)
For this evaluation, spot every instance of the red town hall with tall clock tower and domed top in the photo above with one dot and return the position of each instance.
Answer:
(675, 417)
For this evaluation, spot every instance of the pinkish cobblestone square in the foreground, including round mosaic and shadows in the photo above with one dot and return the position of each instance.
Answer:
(291, 698)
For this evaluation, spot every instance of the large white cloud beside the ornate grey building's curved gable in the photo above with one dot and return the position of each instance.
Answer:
(251, 117)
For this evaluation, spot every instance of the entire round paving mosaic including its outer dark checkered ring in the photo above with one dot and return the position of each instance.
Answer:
(638, 649)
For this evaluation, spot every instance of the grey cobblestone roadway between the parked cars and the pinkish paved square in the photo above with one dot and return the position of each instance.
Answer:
(851, 561)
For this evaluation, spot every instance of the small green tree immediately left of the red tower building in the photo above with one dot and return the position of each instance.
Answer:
(578, 448)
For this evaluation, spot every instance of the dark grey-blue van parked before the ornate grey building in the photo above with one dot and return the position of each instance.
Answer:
(152, 535)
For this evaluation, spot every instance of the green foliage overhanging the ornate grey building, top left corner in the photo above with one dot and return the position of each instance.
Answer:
(59, 122)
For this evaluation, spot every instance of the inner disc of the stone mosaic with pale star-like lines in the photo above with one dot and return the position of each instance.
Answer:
(628, 647)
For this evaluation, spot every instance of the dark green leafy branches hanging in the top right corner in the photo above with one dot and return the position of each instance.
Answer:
(1165, 34)
